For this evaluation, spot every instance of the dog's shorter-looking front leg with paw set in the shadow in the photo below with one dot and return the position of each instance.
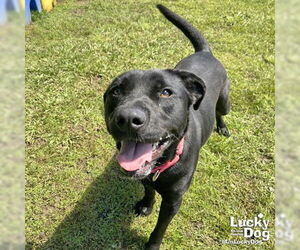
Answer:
(144, 206)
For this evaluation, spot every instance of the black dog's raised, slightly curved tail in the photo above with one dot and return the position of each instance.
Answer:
(198, 41)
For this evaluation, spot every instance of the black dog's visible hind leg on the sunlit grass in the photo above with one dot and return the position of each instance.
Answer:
(223, 108)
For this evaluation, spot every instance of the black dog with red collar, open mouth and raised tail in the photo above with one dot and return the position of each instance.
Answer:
(160, 119)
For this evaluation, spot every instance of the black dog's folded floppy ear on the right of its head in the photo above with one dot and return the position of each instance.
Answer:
(194, 85)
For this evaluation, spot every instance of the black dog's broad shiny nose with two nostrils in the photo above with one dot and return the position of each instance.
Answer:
(131, 119)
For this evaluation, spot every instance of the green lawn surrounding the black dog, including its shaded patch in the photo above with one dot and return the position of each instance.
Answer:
(75, 197)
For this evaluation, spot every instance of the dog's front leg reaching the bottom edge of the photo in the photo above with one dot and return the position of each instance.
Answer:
(169, 208)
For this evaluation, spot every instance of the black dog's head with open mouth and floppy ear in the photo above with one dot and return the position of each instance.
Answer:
(147, 113)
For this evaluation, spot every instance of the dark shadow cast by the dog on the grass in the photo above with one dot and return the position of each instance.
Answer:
(101, 218)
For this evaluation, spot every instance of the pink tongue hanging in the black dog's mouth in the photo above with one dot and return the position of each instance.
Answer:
(133, 155)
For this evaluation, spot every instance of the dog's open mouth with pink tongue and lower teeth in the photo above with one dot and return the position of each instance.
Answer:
(139, 155)
